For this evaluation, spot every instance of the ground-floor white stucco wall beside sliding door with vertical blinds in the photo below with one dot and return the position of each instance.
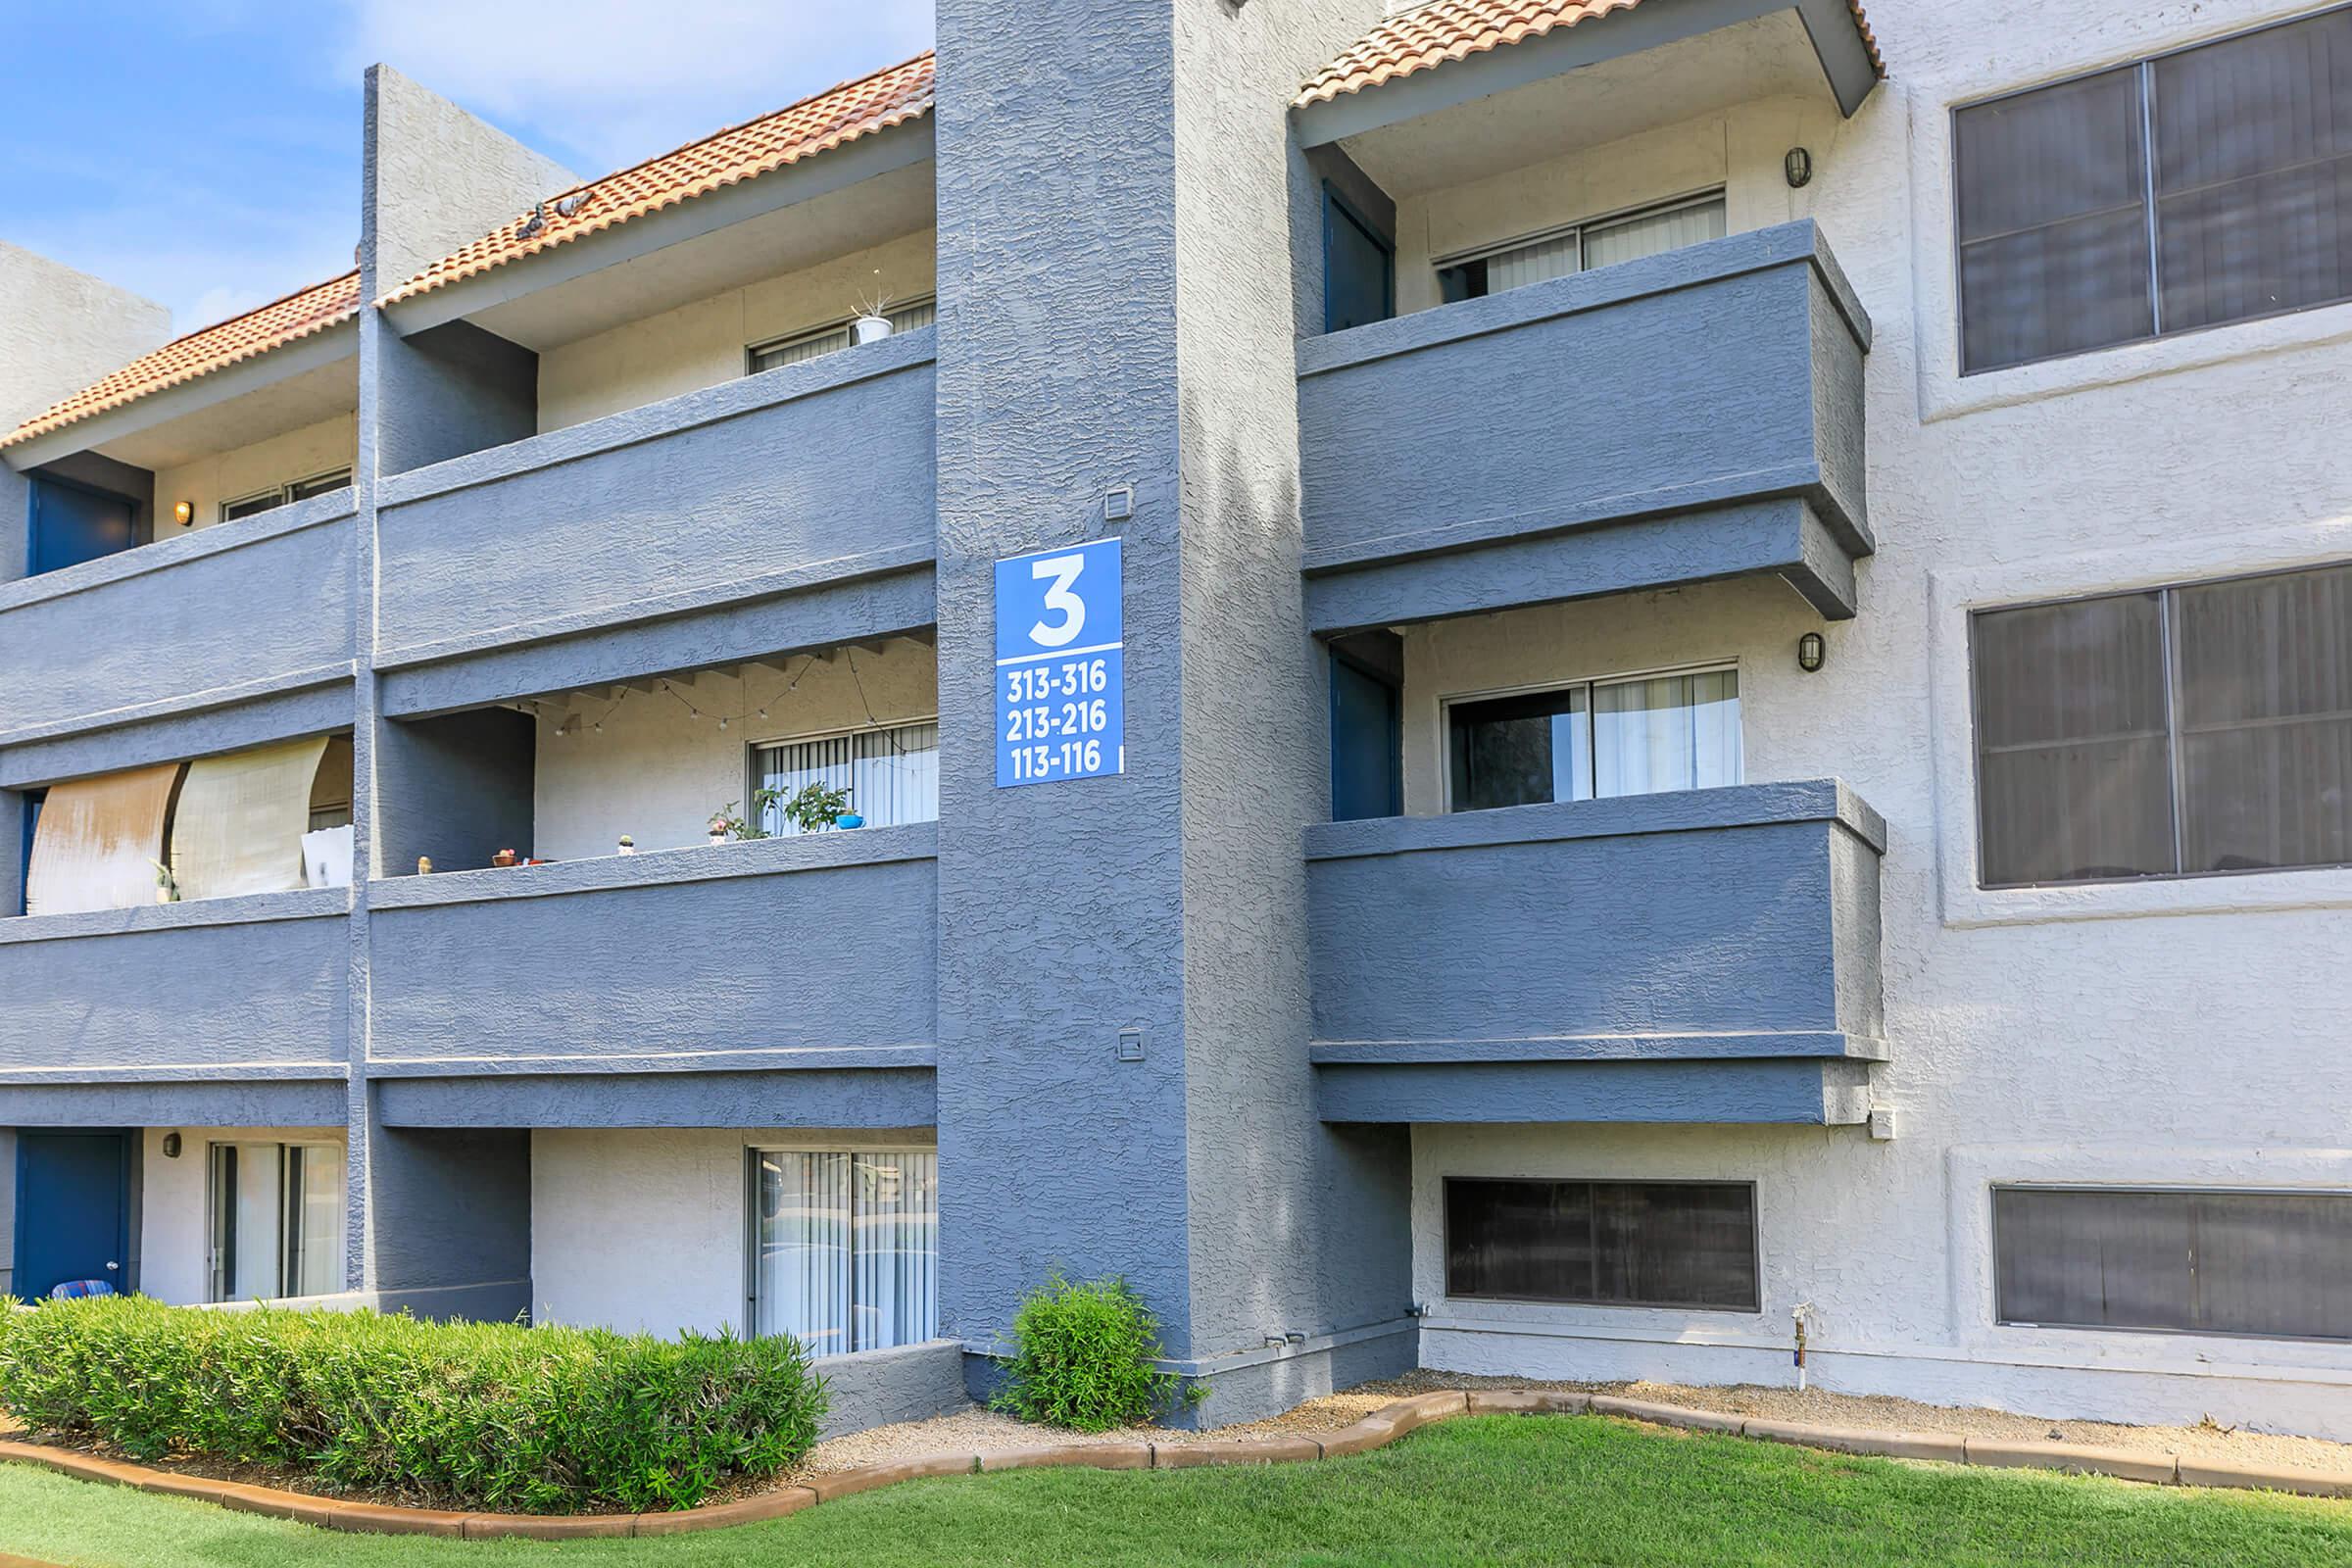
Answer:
(646, 1231)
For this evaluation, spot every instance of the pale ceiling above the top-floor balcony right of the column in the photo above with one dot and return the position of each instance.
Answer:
(1586, 107)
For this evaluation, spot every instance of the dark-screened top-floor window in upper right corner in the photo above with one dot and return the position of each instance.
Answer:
(2184, 192)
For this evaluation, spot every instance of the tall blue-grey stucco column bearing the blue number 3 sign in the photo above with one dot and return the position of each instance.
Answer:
(1118, 222)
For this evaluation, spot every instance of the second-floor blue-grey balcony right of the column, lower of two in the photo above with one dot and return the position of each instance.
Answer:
(1709, 956)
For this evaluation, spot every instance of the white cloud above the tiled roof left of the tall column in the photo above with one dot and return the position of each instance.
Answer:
(608, 83)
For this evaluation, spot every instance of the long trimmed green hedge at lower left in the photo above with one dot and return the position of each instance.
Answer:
(474, 1414)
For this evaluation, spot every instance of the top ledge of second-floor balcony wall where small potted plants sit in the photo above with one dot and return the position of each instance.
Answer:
(662, 869)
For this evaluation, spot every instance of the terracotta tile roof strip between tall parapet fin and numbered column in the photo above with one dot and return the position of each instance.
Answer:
(744, 152)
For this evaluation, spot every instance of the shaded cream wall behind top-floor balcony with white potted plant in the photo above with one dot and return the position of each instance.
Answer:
(702, 344)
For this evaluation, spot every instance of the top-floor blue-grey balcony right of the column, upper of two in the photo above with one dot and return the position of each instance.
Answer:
(1685, 417)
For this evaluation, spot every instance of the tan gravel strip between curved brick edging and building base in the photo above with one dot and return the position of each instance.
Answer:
(987, 1433)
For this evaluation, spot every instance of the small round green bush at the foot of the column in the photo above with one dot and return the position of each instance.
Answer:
(1083, 1360)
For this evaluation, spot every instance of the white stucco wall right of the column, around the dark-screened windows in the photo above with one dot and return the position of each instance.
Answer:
(2172, 1033)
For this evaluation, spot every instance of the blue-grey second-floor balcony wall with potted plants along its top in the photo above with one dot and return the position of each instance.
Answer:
(801, 972)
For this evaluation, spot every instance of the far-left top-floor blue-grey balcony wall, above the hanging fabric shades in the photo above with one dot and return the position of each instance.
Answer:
(192, 624)
